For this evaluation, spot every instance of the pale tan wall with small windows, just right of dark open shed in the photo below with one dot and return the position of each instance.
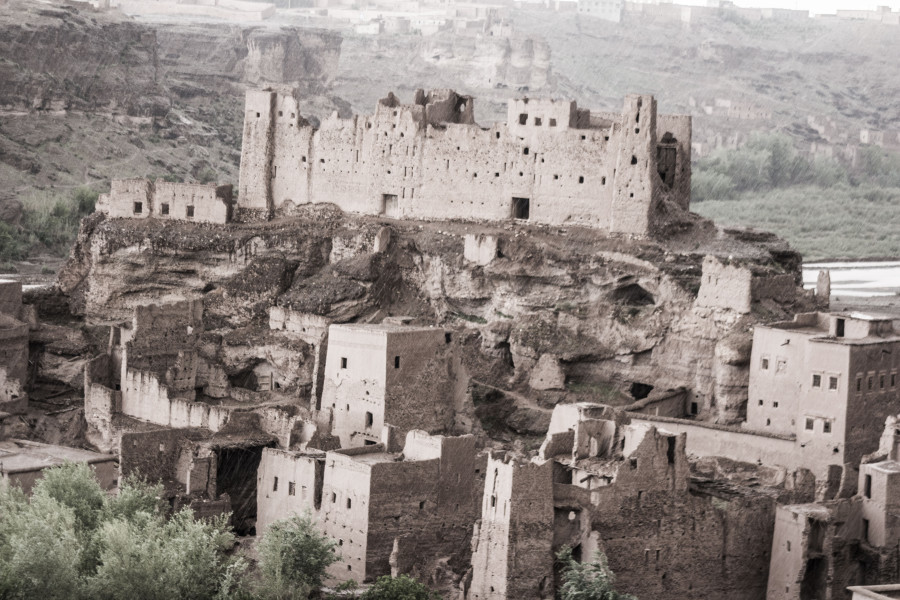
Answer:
(273, 504)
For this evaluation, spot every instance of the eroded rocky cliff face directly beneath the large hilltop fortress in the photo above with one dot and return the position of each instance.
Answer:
(559, 315)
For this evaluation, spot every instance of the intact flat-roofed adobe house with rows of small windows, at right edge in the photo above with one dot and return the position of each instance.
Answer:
(828, 379)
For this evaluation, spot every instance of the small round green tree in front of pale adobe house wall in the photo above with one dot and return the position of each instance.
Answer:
(293, 558)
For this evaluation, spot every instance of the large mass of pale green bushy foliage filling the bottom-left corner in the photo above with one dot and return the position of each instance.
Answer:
(71, 540)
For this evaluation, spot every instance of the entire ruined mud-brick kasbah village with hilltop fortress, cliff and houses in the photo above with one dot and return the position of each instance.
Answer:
(462, 349)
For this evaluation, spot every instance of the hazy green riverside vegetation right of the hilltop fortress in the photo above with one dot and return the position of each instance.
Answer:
(826, 210)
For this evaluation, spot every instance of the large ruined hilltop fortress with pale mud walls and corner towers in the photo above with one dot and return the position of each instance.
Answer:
(551, 163)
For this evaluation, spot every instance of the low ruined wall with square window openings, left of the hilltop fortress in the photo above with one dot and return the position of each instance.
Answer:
(142, 199)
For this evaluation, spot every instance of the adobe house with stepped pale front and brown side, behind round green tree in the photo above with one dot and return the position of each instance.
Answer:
(389, 511)
